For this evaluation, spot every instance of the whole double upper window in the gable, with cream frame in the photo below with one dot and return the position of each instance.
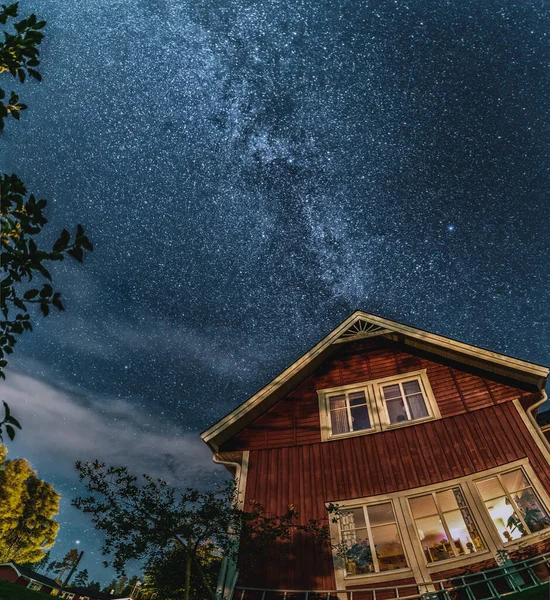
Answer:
(376, 405)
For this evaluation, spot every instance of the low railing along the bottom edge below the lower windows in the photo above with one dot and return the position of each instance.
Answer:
(490, 584)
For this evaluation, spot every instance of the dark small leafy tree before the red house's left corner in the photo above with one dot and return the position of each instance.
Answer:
(141, 520)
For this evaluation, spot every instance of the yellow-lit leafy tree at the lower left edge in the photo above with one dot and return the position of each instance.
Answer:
(27, 507)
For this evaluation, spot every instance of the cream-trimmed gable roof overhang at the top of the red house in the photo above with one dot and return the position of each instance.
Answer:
(361, 325)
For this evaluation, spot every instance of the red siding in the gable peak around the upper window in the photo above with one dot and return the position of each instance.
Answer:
(295, 419)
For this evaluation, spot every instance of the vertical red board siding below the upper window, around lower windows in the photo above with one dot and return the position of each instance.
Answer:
(309, 475)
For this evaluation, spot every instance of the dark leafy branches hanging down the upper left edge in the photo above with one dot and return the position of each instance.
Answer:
(22, 216)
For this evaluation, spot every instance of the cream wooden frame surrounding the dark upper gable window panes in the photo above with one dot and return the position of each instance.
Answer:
(376, 405)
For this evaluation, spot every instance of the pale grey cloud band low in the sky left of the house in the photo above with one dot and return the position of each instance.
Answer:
(61, 425)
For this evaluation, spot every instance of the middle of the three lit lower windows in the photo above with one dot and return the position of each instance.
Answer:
(445, 525)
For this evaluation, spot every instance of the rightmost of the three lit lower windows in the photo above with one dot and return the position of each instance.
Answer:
(513, 505)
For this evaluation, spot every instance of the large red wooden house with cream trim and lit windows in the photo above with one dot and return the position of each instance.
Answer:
(429, 446)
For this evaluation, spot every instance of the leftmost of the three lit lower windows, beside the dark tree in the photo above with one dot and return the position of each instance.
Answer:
(371, 539)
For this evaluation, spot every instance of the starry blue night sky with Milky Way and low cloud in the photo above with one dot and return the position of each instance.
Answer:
(251, 172)
